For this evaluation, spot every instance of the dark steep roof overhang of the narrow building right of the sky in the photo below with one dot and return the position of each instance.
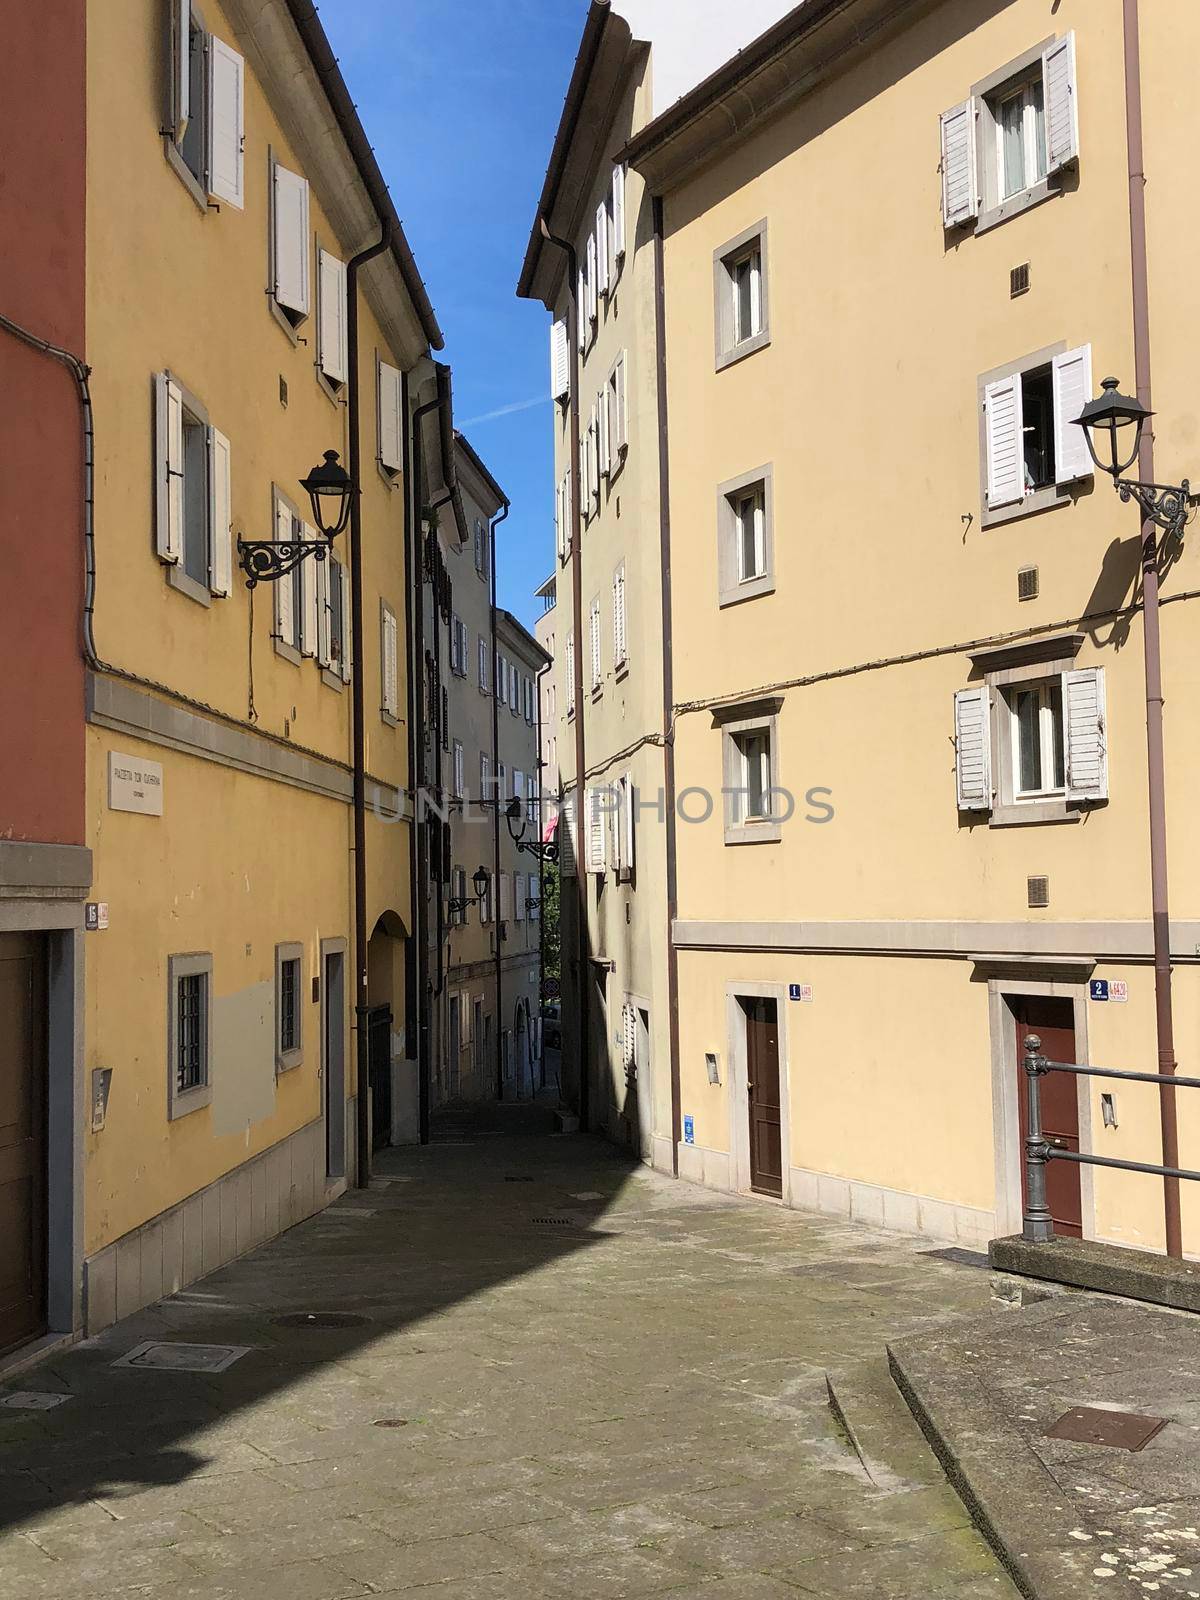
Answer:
(601, 71)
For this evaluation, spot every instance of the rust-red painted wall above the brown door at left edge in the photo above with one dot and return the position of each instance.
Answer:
(42, 287)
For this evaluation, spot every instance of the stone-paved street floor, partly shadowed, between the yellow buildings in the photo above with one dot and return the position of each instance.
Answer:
(577, 1378)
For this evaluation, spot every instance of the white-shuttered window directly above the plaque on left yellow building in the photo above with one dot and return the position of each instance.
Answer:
(194, 535)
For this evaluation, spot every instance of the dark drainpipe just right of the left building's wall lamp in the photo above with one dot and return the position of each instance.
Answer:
(361, 1009)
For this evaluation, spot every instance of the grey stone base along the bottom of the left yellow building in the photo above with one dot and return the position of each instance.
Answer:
(247, 1207)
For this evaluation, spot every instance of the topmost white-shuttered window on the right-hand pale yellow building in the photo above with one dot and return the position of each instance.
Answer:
(1006, 148)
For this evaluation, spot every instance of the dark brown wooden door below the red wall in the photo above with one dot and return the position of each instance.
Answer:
(23, 1138)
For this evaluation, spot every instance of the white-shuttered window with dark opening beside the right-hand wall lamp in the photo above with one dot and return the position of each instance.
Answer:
(1031, 447)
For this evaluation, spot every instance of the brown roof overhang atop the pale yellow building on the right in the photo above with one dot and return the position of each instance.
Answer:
(780, 68)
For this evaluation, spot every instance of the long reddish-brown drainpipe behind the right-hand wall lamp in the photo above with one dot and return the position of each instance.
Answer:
(1151, 634)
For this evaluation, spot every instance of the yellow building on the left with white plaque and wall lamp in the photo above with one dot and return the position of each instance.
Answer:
(230, 188)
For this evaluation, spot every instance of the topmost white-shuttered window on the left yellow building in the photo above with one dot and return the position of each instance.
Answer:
(206, 124)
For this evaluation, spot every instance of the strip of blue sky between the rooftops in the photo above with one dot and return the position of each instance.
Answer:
(460, 100)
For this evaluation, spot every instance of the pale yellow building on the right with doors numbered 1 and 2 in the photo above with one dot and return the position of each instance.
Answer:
(905, 655)
